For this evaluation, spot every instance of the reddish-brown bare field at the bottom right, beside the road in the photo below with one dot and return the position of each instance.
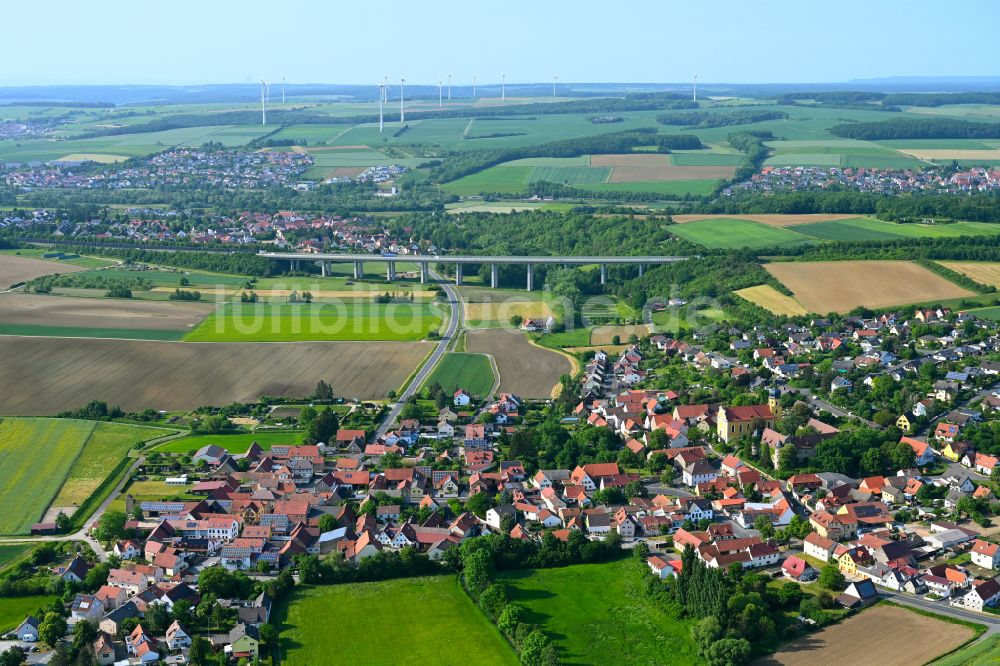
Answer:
(884, 635)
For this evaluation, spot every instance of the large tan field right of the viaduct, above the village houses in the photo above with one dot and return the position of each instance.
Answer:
(841, 286)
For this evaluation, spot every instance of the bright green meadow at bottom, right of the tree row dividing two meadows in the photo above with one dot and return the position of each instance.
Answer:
(600, 614)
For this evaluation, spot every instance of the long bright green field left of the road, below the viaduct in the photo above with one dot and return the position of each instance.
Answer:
(342, 320)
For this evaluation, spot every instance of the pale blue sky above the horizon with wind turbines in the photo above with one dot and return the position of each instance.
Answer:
(733, 41)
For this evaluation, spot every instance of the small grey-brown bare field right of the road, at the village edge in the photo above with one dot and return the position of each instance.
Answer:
(525, 369)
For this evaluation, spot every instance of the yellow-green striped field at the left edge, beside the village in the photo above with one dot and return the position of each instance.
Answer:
(36, 456)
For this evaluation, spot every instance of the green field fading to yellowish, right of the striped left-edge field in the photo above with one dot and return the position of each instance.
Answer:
(105, 448)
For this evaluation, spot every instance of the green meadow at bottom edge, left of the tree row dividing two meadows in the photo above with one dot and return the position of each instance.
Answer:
(424, 621)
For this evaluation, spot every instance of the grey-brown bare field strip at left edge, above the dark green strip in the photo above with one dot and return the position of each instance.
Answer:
(57, 311)
